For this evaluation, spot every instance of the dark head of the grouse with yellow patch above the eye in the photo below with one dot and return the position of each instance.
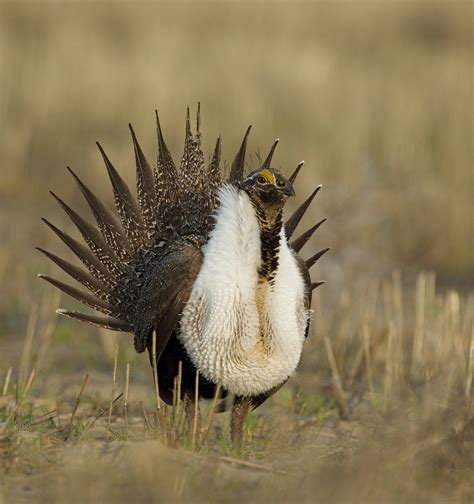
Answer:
(267, 187)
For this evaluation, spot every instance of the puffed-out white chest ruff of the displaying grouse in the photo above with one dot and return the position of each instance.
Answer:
(246, 336)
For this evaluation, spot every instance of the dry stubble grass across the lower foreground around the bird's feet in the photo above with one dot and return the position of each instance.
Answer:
(382, 400)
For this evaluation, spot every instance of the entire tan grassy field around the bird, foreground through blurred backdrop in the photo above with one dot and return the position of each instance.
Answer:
(377, 97)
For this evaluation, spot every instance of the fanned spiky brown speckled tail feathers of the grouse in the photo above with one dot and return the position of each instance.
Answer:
(127, 244)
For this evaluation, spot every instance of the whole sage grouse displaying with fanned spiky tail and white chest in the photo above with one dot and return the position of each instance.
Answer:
(204, 262)
